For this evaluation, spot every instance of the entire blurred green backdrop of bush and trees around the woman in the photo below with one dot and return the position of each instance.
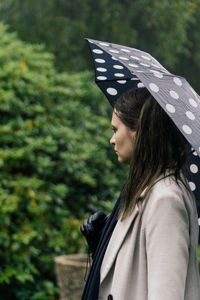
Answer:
(56, 165)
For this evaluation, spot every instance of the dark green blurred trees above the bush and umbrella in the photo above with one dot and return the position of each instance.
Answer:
(169, 30)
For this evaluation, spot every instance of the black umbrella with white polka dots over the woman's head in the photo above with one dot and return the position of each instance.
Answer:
(119, 68)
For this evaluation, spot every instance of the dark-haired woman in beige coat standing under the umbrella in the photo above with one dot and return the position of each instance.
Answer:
(150, 252)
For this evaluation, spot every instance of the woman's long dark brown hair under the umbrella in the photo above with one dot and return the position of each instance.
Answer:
(159, 146)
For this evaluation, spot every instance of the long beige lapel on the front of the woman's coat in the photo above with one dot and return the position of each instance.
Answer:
(117, 238)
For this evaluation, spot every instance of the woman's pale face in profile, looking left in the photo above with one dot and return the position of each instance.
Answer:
(122, 139)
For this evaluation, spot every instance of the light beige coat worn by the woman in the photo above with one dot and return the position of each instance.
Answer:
(154, 257)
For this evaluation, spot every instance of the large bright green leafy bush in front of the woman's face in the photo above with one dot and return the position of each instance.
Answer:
(55, 165)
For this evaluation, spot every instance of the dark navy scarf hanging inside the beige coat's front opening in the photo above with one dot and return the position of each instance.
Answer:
(91, 290)
